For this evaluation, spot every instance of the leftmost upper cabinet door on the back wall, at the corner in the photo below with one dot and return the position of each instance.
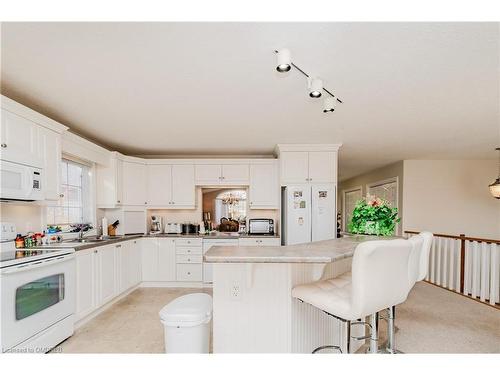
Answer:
(133, 183)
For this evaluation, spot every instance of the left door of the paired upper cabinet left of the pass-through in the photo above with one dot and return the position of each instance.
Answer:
(159, 185)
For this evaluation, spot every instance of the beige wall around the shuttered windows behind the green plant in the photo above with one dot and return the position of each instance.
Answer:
(380, 174)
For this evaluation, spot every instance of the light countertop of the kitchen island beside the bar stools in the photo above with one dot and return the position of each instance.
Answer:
(313, 252)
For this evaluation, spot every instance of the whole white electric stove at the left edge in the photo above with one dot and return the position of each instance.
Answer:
(38, 298)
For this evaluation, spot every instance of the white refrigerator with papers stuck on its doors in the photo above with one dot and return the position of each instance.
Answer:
(308, 213)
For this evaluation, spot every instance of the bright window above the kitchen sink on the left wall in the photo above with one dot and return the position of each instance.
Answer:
(72, 206)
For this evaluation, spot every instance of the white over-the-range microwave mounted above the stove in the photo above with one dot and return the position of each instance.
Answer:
(20, 182)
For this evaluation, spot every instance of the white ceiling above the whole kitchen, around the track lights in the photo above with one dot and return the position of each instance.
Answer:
(410, 90)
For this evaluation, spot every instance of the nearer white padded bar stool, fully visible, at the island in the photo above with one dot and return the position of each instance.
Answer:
(378, 280)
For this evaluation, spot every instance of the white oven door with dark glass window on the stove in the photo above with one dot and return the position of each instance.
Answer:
(35, 296)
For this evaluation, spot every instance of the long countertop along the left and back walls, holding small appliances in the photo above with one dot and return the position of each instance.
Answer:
(71, 244)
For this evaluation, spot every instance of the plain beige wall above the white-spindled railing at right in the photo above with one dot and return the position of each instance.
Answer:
(451, 197)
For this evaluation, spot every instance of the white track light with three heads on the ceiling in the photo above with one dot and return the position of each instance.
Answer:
(314, 85)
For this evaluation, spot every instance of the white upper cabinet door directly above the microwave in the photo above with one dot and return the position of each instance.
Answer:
(19, 140)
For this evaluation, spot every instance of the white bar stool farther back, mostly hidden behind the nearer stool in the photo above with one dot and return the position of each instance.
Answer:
(418, 266)
